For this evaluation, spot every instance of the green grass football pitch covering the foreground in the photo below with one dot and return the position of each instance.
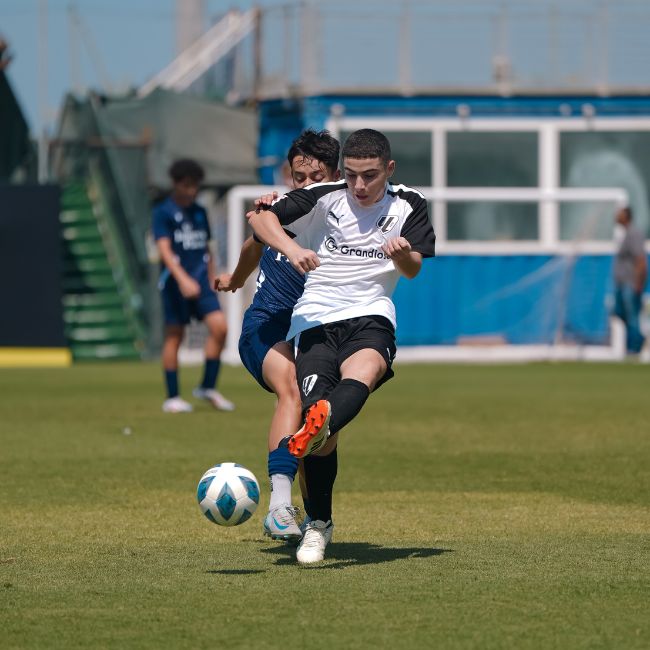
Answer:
(476, 507)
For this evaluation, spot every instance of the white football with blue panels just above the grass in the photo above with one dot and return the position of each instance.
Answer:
(228, 494)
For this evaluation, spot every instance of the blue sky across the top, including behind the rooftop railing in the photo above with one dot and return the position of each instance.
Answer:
(120, 44)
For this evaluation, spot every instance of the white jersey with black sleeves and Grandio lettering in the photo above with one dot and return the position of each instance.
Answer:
(355, 277)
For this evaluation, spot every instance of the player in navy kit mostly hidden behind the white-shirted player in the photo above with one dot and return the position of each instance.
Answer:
(313, 158)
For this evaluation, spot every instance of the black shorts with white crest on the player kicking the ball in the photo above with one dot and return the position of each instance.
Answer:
(321, 351)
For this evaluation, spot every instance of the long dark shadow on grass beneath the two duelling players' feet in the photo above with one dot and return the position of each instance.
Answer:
(348, 554)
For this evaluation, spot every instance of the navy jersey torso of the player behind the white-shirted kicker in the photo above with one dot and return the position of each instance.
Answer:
(279, 285)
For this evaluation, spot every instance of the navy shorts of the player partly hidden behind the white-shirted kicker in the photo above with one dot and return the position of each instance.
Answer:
(260, 332)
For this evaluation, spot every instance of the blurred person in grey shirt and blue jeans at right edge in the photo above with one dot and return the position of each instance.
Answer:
(630, 274)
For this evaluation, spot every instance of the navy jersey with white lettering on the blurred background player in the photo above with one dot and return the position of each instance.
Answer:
(189, 232)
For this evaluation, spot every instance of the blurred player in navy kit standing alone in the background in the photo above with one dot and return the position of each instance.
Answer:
(182, 233)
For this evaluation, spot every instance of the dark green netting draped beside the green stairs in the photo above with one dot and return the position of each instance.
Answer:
(121, 149)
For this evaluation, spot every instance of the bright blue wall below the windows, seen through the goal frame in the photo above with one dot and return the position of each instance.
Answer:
(525, 299)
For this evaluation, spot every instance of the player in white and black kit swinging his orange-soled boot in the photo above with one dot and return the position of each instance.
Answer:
(353, 239)
